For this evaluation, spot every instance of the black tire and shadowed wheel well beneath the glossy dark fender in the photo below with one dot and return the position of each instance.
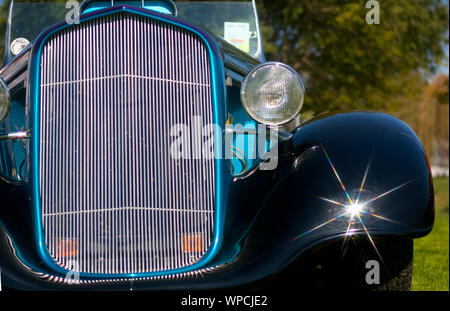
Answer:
(337, 268)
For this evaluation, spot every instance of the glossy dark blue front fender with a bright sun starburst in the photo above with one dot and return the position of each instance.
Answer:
(332, 163)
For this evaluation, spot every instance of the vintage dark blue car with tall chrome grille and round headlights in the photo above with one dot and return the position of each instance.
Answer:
(150, 145)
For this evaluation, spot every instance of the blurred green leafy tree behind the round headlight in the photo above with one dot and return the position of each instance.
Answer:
(349, 64)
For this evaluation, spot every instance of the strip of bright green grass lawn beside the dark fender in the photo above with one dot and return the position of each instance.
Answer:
(430, 271)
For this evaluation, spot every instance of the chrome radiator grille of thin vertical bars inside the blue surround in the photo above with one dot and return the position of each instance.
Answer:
(113, 200)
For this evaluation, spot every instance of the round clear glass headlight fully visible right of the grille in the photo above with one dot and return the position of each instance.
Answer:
(273, 93)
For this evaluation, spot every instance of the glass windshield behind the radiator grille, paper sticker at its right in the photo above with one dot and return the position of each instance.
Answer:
(236, 22)
